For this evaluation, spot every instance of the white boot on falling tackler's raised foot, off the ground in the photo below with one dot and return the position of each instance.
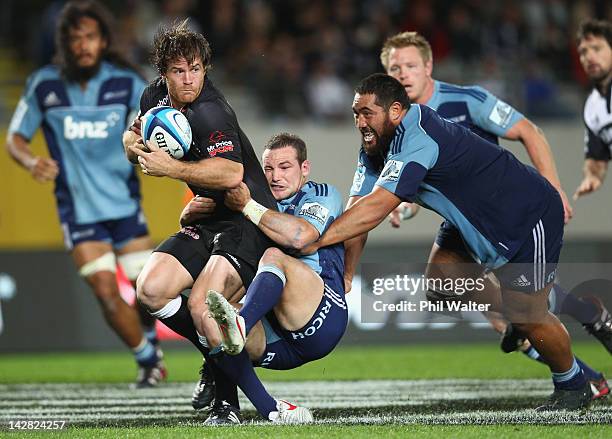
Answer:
(230, 322)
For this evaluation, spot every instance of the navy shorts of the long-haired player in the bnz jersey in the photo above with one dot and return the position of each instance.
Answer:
(117, 232)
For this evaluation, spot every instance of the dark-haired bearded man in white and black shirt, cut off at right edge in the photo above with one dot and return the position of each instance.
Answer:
(595, 50)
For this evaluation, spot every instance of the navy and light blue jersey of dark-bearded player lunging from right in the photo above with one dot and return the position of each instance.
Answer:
(482, 189)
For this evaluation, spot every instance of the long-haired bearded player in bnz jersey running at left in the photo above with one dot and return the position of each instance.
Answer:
(83, 102)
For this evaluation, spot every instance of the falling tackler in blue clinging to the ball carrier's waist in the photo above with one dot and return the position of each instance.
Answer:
(299, 301)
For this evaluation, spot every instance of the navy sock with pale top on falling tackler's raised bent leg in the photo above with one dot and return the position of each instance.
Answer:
(263, 294)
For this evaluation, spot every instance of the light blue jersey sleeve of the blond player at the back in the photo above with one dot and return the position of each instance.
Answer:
(492, 114)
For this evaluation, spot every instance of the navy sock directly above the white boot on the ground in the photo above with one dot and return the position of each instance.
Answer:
(240, 370)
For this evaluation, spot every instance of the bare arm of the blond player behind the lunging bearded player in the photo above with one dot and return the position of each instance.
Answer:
(540, 153)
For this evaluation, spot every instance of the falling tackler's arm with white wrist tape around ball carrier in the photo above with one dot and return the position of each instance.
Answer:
(284, 229)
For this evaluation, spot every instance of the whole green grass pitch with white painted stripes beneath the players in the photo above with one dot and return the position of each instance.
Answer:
(469, 390)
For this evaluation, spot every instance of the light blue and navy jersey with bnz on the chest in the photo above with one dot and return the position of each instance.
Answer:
(83, 130)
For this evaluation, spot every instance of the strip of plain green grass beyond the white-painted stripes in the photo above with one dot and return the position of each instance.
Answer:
(345, 363)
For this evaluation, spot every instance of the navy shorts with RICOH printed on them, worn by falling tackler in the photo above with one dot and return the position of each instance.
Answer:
(291, 349)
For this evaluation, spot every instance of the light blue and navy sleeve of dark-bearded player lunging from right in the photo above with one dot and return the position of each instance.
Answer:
(411, 155)
